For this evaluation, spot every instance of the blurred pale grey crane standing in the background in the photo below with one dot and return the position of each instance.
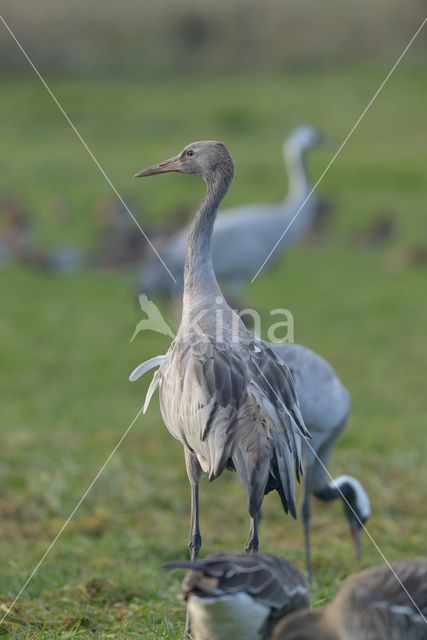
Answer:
(253, 228)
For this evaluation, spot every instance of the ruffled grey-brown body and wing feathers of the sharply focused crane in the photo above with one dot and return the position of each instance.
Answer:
(235, 405)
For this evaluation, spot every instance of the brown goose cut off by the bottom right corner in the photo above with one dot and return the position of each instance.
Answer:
(376, 604)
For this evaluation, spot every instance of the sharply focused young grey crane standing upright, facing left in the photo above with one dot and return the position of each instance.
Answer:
(224, 394)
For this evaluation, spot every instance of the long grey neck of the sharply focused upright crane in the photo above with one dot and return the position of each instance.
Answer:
(199, 276)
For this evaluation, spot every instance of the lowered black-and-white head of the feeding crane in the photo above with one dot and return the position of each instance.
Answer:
(357, 507)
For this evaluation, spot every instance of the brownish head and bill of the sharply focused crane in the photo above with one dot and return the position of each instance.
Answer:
(209, 159)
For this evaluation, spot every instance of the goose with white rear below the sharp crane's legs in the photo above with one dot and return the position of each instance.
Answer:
(232, 595)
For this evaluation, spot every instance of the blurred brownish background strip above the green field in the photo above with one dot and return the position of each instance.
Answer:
(133, 36)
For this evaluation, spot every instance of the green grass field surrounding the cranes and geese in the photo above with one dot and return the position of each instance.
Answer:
(66, 354)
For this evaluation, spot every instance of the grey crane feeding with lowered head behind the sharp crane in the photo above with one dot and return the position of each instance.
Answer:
(325, 406)
